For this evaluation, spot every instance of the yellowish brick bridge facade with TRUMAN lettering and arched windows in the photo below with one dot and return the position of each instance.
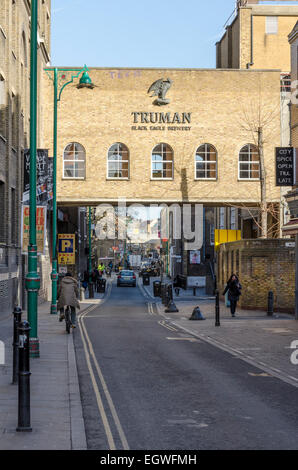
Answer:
(114, 141)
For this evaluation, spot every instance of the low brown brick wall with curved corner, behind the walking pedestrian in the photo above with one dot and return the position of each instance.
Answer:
(262, 265)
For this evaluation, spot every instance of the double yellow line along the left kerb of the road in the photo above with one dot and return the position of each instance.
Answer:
(95, 375)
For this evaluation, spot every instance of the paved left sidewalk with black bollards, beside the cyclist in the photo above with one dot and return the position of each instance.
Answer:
(56, 411)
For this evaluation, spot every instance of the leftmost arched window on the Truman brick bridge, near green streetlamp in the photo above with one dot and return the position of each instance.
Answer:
(74, 161)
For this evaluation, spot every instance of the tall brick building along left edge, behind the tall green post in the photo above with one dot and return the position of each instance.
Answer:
(14, 132)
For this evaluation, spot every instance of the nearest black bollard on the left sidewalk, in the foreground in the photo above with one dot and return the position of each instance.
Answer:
(24, 379)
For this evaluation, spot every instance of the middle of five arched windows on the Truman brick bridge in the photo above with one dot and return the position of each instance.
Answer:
(162, 162)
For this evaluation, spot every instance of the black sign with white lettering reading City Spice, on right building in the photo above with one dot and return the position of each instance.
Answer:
(285, 166)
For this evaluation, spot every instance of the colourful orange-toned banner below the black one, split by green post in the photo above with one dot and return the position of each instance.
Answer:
(41, 222)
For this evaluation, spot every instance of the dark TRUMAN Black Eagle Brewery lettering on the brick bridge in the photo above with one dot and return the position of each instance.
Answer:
(160, 121)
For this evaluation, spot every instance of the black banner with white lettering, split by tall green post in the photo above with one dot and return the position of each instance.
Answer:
(42, 176)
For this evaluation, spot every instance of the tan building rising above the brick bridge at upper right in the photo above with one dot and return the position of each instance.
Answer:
(257, 37)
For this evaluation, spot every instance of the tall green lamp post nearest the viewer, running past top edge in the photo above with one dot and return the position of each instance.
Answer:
(32, 282)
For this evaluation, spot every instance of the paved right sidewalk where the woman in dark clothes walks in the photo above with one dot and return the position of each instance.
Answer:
(260, 340)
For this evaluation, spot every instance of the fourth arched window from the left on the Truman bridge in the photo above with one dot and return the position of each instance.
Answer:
(206, 162)
